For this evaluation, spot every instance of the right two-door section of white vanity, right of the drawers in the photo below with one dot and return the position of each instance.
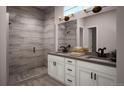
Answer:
(94, 74)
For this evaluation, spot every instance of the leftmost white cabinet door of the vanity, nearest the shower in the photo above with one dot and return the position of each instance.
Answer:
(52, 68)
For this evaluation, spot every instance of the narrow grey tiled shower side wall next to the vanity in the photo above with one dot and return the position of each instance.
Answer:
(49, 33)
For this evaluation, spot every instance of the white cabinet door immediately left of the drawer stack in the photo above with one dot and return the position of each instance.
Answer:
(60, 72)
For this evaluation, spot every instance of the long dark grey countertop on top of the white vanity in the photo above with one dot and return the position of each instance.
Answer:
(105, 62)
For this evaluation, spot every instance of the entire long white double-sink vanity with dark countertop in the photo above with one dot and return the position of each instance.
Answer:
(81, 71)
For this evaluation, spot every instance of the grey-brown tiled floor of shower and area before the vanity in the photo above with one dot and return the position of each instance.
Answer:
(34, 77)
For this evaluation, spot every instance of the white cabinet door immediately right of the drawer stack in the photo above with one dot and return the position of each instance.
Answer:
(84, 77)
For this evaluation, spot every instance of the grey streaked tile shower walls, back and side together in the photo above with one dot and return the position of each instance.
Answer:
(29, 29)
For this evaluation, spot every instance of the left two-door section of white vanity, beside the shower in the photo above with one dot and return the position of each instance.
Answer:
(56, 67)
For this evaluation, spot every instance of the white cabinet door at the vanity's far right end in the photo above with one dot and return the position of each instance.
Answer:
(105, 80)
